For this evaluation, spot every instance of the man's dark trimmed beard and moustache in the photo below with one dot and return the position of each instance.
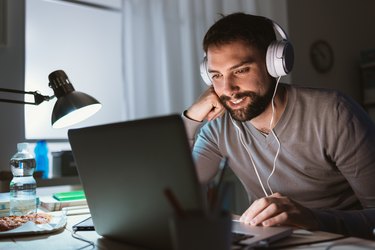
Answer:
(256, 106)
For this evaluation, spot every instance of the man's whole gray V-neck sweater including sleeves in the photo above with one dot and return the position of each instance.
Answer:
(326, 160)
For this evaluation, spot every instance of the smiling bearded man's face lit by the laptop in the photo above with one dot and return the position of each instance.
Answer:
(239, 76)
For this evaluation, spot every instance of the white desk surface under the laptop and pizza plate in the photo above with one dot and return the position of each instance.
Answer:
(64, 241)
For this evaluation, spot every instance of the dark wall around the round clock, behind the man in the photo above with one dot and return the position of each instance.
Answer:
(348, 26)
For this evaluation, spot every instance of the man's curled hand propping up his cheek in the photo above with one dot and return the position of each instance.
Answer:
(208, 106)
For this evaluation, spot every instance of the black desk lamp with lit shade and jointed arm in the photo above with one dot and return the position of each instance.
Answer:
(71, 106)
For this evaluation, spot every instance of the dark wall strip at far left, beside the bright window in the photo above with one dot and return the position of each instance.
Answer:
(12, 76)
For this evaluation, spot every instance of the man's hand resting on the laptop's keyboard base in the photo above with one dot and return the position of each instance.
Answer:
(277, 210)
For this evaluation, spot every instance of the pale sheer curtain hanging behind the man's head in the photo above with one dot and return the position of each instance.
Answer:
(162, 51)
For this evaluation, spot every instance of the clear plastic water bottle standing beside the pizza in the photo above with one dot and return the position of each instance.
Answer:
(23, 186)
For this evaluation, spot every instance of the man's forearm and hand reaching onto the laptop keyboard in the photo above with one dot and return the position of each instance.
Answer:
(280, 210)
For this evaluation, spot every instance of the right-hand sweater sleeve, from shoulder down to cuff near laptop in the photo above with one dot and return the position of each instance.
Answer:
(353, 151)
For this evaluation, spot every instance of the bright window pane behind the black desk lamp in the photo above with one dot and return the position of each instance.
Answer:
(83, 38)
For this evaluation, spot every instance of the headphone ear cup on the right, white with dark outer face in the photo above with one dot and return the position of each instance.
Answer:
(279, 58)
